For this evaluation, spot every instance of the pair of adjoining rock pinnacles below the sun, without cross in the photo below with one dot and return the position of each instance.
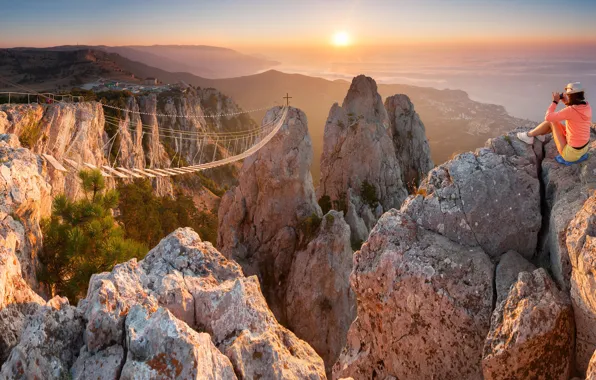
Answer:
(371, 152)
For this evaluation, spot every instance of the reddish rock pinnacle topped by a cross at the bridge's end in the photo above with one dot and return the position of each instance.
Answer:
(273, 227)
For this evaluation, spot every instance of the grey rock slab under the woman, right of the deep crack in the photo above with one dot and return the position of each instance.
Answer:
(566, 189)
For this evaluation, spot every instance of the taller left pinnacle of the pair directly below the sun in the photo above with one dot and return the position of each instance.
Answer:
(358, 147)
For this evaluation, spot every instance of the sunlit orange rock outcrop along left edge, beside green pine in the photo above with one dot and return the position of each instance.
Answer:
(24, 200)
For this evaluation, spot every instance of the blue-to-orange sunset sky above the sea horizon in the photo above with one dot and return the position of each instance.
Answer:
(238, 24)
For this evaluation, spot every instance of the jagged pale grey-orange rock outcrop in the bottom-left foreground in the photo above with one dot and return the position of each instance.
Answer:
(182, 312)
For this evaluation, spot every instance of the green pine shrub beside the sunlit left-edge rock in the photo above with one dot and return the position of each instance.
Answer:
(82, 238)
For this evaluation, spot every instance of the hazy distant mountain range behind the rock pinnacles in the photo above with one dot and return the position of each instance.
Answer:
(454, 123)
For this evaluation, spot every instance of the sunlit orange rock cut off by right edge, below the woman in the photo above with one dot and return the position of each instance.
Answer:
(581, 245)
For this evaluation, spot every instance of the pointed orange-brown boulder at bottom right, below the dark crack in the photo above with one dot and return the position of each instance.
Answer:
(531, 333)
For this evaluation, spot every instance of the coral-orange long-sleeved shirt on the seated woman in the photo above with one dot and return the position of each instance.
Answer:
(578, 123)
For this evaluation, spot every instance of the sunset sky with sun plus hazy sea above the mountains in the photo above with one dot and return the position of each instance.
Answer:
(512, 53)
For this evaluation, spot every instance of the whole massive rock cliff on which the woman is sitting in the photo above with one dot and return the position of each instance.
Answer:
(426, 278)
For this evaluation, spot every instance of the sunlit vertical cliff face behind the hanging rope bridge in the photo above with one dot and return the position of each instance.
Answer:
(130, 136)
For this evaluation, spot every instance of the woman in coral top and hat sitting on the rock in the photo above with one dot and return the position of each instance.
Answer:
(571, 139)
